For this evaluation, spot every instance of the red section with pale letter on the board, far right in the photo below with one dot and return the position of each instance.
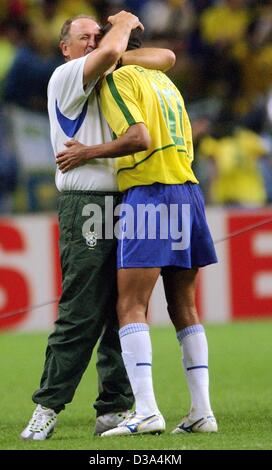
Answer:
(250, 258)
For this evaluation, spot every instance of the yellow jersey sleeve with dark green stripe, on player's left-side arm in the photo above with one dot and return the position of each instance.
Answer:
(120, 106)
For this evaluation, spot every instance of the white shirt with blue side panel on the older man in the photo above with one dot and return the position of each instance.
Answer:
(74, 113)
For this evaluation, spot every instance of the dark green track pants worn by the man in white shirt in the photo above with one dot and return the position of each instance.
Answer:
(87, 312)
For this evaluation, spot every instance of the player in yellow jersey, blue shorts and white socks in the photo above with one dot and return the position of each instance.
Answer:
(164, 231)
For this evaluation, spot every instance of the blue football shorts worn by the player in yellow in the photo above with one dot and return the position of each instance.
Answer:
(164, 225)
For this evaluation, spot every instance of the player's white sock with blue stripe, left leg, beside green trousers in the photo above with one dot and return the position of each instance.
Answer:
(137, 357)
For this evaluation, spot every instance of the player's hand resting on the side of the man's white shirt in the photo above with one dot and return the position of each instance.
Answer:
(73, 156)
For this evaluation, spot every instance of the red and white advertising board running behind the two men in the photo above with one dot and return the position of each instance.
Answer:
(238, 287)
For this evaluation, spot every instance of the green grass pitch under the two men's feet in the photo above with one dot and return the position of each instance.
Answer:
(240, 385)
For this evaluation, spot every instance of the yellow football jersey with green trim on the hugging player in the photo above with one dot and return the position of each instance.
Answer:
(133, 94)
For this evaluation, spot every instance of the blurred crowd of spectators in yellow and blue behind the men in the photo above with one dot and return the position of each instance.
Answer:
(223, 70)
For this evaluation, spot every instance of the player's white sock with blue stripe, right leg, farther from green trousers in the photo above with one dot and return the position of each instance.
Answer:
(195, 362)
